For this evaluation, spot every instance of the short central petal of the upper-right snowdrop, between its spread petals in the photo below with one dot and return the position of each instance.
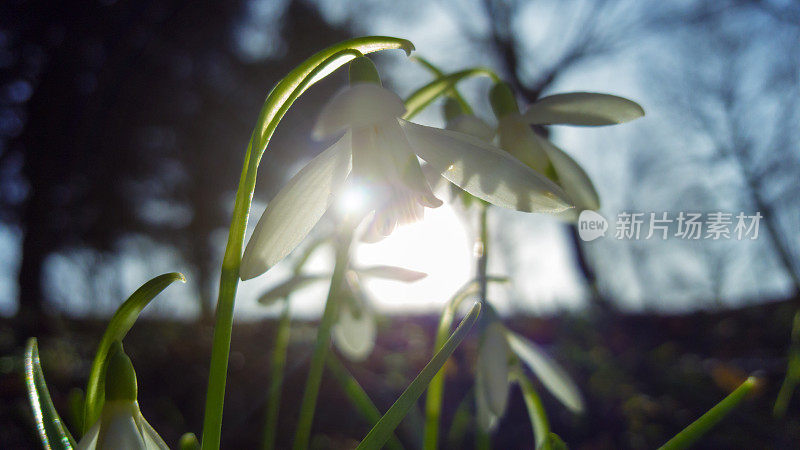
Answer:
(516, 137)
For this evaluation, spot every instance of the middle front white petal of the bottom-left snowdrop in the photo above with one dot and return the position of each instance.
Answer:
(118, 427)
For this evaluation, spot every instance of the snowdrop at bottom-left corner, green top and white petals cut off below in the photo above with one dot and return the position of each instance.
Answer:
(121, 424)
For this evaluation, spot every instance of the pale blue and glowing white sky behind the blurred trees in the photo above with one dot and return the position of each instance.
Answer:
(533, 249)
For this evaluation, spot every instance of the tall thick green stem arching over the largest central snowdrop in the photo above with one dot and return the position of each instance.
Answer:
(278, 101)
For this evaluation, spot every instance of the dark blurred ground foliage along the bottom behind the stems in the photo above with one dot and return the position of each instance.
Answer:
(644, 379)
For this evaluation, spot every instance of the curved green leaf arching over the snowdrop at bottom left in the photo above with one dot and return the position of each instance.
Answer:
(119, 325)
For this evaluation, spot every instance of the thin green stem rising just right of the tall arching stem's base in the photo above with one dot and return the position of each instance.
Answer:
(276, 378)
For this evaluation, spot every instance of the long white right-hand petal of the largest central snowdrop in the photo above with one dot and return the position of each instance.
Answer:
(485, 171)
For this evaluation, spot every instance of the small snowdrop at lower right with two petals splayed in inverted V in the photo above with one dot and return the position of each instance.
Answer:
(498, 352)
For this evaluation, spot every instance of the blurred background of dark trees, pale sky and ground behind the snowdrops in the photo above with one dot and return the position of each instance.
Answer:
(122, 132)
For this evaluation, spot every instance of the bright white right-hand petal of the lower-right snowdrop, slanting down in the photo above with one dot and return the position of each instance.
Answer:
(552, 376)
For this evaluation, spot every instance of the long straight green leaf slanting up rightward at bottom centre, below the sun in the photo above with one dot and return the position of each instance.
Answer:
(384, 428)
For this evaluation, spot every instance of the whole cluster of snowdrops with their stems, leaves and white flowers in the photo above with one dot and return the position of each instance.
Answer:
(403, 167)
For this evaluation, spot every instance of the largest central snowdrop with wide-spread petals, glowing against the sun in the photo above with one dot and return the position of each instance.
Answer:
(378, 150)
